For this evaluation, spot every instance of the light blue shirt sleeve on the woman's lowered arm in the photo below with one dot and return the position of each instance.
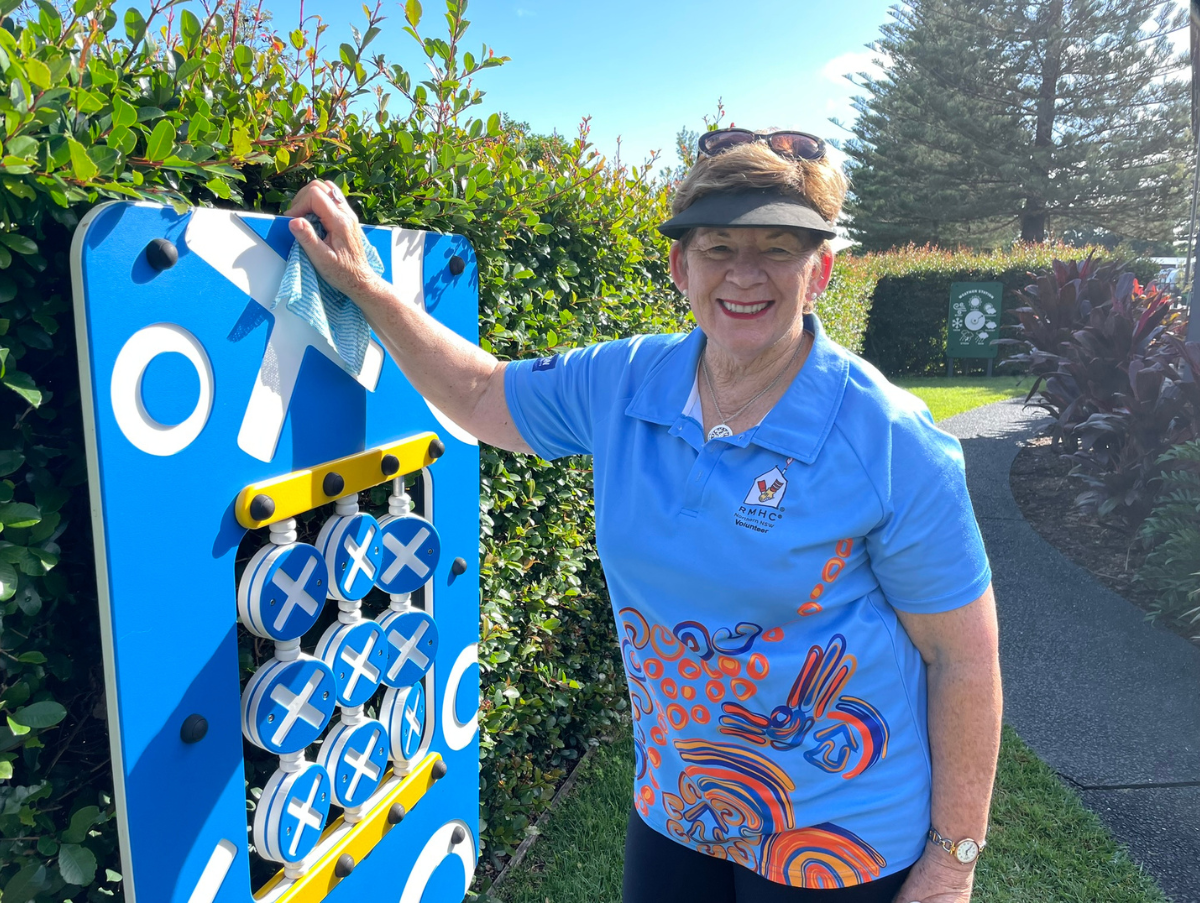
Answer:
(927, 552)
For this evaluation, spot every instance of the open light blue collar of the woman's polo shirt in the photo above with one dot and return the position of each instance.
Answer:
(796, 427)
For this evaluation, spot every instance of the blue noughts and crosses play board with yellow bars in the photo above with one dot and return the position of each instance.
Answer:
(217, 426)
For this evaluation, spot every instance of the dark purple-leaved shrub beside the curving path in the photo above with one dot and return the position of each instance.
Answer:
(1107, 358)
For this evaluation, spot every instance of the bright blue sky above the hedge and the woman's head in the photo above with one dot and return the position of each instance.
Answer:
(645, 69)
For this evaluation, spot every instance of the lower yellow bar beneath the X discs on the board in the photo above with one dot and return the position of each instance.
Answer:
(320, 880)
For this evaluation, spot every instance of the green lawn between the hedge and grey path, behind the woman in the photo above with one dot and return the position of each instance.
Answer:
(1043, 845)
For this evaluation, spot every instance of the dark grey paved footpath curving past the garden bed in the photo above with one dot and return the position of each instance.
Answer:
(1109, 702)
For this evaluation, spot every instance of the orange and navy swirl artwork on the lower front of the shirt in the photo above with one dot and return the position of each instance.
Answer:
(724, 792)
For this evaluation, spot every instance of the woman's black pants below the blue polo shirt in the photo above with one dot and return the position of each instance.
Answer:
(661, 871)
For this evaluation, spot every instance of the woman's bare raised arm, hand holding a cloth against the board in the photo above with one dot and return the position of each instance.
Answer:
(459, 379)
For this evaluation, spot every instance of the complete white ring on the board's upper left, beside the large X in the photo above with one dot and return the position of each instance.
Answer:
(133, 417)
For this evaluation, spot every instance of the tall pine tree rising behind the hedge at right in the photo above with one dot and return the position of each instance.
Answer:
(1009, 119)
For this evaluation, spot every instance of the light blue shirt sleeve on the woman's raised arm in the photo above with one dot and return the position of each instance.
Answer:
(551, 402)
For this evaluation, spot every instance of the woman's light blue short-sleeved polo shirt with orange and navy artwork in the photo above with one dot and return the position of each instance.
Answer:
(779, 705)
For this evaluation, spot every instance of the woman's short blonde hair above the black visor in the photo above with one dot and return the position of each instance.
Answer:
(818, 183)
